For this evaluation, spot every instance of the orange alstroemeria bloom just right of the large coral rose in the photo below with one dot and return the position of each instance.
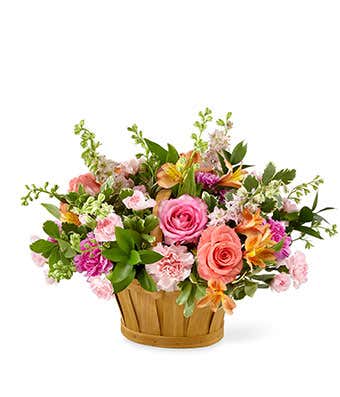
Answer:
(259, 248)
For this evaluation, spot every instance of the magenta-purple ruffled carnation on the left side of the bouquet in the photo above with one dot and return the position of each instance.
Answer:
(91, 260)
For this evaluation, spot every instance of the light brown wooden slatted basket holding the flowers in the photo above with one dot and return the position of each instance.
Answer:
(154, 318)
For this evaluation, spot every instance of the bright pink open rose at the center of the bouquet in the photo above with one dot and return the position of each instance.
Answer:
(183, 219)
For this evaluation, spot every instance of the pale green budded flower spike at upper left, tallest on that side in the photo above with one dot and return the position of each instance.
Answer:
(89, 144)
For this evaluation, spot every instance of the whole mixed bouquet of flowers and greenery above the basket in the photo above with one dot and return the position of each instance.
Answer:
(201, 222)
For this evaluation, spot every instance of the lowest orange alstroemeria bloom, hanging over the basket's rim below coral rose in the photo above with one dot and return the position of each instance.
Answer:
(215, 296)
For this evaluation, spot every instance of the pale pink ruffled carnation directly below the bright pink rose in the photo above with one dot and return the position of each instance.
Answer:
(175, 266)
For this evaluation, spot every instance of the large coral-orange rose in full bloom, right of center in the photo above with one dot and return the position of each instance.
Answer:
(219, 254)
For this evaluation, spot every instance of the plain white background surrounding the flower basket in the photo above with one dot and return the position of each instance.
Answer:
(275, 65)
